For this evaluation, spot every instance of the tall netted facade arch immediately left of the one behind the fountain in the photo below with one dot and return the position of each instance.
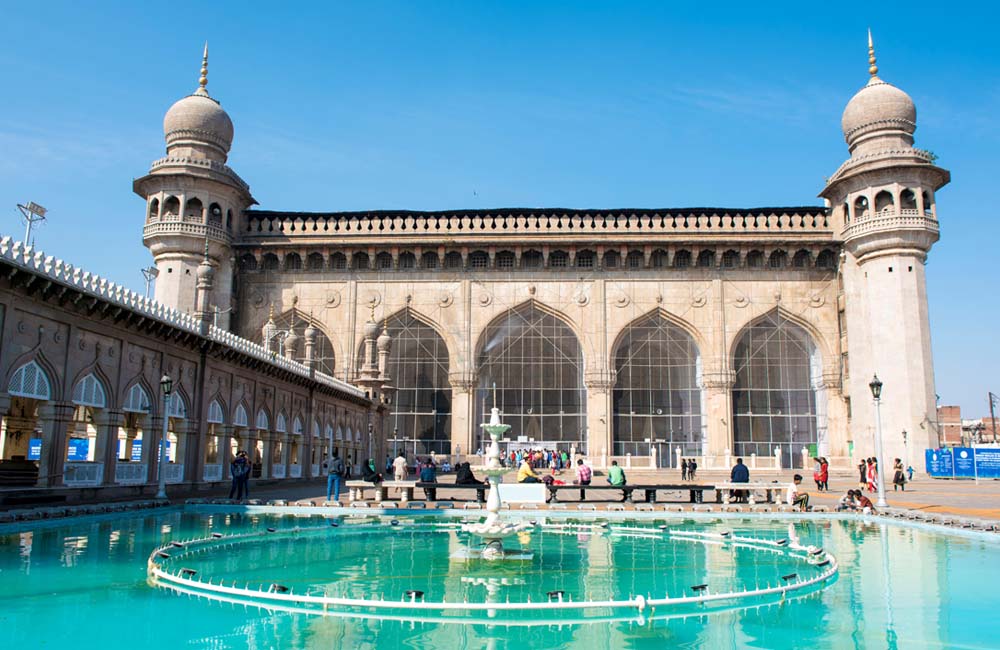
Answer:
(418, 364)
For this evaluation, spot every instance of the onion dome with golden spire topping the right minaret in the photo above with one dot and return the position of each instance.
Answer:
(880, 116)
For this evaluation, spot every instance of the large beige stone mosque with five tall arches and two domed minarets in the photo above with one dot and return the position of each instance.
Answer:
(615, 333)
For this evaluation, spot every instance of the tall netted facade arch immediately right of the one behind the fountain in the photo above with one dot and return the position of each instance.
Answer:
(657, 396)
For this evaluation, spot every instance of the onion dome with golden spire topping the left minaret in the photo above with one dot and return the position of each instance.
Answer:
(196, 125)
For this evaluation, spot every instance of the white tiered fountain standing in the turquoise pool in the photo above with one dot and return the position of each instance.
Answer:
(494, 528)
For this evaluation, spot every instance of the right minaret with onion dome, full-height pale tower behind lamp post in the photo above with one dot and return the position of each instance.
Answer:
(883, 204)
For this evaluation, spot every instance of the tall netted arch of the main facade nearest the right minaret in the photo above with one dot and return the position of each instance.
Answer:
(774, 398)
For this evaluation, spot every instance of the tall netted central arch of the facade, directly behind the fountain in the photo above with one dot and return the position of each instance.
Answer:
(536, 362)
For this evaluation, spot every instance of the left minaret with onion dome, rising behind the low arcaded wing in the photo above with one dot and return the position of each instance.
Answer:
(192, 195)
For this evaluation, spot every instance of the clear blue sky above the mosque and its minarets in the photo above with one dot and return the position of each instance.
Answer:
(436, 105)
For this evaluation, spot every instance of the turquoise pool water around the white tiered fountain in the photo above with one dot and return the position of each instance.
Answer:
(84, 585)
